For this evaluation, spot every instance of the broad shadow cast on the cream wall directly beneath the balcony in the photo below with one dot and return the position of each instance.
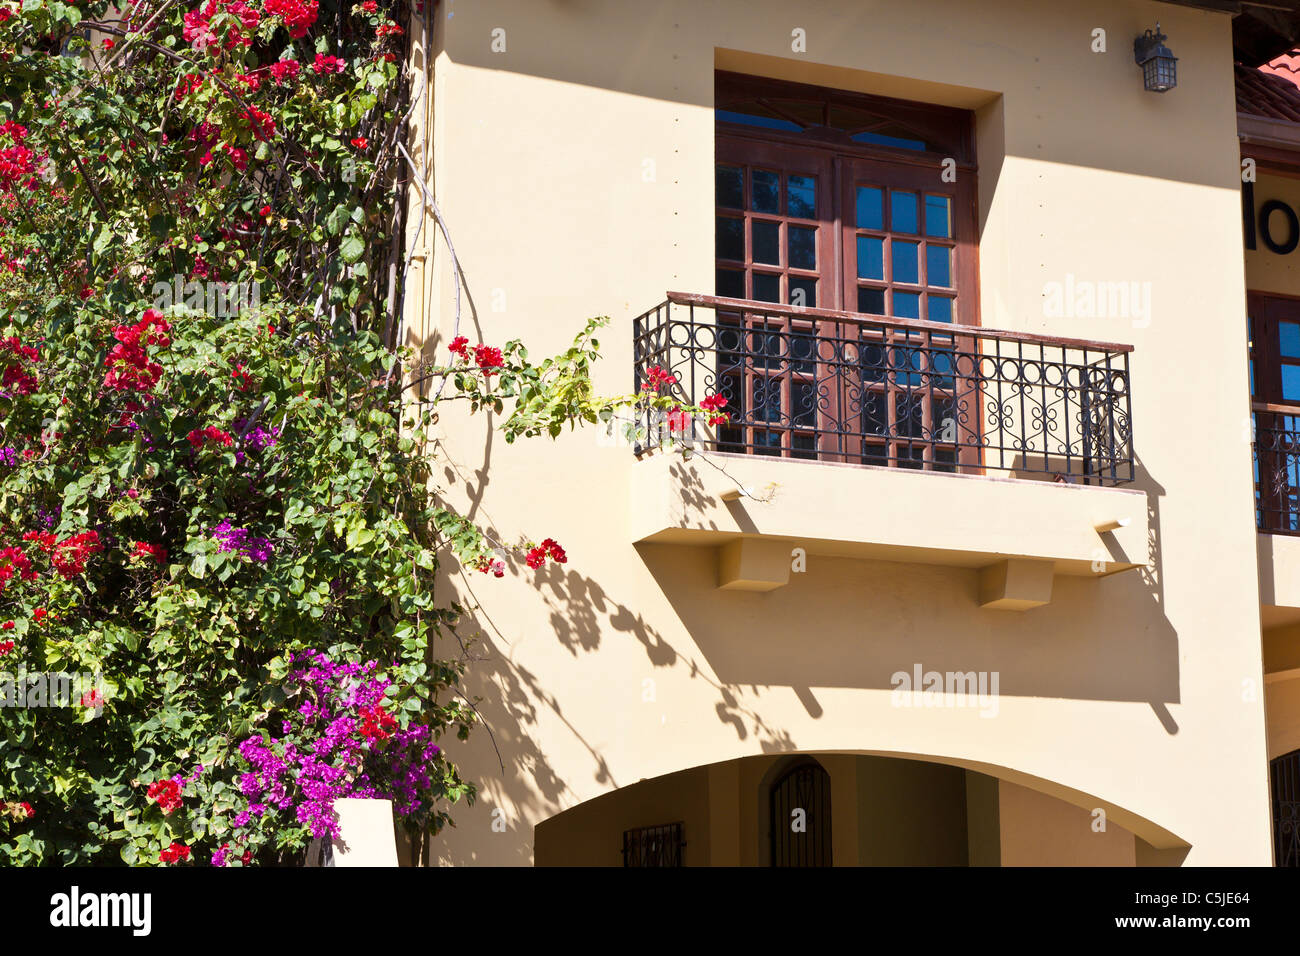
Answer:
(798, 635)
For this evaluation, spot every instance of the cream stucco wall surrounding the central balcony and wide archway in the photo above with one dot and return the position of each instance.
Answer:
(575, 171)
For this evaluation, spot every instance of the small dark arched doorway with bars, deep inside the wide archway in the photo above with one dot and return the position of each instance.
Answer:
(800, 819)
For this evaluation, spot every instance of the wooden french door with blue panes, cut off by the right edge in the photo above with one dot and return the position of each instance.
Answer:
(1275, 357)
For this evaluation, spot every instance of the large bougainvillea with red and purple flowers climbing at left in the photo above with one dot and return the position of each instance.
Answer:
(214, 492)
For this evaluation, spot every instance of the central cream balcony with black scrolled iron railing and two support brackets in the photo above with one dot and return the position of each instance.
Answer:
(870, 438)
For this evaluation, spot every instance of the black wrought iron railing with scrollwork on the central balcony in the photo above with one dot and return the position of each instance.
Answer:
(844, 387)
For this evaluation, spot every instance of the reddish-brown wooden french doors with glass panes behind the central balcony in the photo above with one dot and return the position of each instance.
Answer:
(811, 226)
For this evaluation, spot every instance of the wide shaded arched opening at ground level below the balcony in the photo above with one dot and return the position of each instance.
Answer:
(843, 810)
